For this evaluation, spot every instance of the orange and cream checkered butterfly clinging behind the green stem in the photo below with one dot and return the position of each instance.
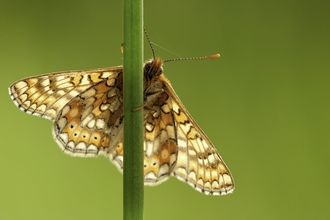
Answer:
(86, 108)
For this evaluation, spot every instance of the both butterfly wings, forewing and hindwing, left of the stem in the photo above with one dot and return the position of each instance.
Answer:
(86, 107)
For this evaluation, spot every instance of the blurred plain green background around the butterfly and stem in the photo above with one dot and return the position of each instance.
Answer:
(264, 104)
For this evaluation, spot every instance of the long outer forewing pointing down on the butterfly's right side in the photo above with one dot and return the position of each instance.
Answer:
(198, 163)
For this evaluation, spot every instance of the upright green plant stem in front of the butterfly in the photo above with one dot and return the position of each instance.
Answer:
(133, 120)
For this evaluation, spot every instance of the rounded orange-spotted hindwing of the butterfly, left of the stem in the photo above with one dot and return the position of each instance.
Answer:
(92, 122)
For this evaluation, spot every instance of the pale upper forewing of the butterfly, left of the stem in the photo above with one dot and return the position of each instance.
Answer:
(47, 94)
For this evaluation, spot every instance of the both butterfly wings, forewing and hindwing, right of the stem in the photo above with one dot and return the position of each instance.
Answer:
(175, 145)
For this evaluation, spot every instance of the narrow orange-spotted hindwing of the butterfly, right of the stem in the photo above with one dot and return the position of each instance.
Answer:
(160, 148)
